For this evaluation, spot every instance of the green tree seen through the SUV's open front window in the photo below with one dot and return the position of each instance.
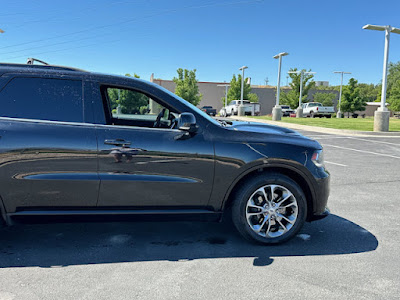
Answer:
(130, 102)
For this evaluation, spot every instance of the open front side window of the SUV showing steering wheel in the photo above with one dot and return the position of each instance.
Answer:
(129, 107)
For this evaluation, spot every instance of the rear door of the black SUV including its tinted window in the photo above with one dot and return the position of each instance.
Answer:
(48, 154)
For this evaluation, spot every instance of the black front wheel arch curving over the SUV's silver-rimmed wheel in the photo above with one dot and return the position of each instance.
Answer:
(290, 171)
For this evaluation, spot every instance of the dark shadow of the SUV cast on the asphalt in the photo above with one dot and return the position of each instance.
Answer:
(58, 245)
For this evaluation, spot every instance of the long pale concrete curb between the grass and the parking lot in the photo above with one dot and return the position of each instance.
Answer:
(320, 129)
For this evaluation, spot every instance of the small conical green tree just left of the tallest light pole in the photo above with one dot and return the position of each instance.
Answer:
(351, 98)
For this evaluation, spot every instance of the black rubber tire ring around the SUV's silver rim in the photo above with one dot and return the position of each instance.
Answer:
(247, 189)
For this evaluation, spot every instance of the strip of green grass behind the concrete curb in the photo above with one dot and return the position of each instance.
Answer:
(363, 124)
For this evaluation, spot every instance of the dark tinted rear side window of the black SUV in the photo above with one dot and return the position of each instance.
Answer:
(42, 99)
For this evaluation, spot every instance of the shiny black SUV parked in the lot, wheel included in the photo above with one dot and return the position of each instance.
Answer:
(76, 143)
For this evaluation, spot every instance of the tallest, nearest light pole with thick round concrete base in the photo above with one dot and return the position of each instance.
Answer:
(381, 115)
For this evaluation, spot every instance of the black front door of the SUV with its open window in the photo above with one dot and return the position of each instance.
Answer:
(145, 166)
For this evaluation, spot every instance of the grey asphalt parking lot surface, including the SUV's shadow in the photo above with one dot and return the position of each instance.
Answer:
(351, 254)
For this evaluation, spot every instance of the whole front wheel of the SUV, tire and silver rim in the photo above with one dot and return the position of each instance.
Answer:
(247, 219)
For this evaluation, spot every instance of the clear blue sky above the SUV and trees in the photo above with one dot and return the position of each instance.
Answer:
(214, 37)
